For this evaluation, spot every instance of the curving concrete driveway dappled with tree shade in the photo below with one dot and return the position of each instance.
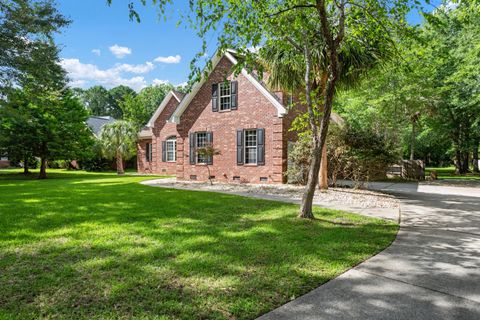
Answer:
(431, 271)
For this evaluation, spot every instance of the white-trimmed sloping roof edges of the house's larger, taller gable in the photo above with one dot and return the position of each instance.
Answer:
(281, 110)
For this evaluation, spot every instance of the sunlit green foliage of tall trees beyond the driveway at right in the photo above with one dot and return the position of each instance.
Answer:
(436, 79)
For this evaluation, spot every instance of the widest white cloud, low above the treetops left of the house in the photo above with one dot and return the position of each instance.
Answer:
(81, 73)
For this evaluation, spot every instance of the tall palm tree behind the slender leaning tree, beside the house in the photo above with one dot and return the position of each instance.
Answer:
(286, 68)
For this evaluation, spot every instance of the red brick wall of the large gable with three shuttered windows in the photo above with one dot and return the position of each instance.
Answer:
(254, 111)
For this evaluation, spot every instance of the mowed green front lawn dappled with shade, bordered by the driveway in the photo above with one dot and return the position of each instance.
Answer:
(97, 246)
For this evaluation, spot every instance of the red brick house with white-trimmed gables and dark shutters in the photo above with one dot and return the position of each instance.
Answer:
(238, 115)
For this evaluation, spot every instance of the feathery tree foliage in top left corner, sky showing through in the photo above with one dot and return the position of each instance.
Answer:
(26, 43)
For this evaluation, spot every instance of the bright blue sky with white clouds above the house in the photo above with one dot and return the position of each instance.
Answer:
(102, 46)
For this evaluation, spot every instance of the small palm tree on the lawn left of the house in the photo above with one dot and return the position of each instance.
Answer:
(118, 141)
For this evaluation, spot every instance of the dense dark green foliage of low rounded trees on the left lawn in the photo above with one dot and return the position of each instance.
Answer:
(50, 126)
